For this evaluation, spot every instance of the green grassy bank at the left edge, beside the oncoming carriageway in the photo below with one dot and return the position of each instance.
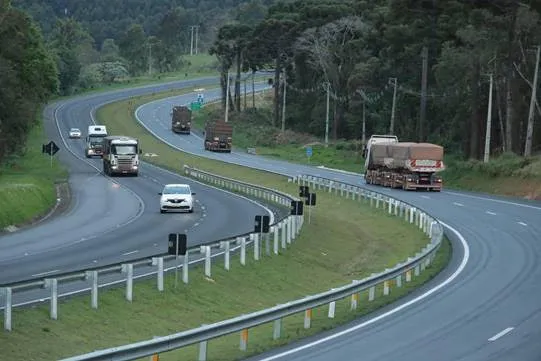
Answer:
(27, 182)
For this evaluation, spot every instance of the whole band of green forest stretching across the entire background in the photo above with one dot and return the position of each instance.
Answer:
(436, 59)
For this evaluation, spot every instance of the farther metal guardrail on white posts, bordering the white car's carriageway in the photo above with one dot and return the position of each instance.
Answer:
(285, 230)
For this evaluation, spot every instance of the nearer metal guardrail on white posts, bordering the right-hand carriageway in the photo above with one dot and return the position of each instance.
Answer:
(411, 214)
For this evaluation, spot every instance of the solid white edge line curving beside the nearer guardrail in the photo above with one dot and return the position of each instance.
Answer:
(390, 312)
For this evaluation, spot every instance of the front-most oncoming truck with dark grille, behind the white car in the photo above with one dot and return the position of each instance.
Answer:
(121, 155)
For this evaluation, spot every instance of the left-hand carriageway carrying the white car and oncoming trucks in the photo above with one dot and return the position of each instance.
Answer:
(116, 219)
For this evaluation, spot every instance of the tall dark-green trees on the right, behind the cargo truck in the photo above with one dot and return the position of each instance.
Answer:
(359, 50)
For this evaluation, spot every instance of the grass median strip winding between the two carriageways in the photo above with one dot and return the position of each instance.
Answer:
(346, 240)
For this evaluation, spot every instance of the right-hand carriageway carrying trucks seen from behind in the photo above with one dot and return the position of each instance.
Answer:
(485, 306)
